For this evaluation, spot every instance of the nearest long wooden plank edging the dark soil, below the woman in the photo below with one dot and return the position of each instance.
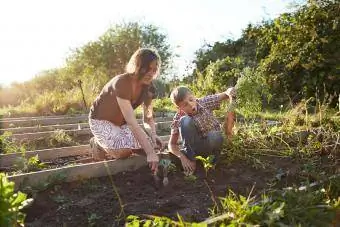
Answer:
(80, 172)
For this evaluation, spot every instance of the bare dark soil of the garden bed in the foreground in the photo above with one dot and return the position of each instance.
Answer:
(95, 203)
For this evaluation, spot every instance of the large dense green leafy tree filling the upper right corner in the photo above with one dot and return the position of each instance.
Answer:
(302, 58)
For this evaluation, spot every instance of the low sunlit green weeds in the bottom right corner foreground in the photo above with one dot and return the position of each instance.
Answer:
(291, 207)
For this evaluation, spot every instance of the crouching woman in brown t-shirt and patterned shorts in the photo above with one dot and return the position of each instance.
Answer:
(112, 119)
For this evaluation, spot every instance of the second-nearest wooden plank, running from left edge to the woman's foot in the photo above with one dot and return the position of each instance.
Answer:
(7, 160)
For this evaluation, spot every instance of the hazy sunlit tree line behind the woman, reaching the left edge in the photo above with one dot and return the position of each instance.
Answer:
(93, 64)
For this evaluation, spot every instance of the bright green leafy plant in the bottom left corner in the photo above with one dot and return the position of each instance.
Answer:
(11, 203)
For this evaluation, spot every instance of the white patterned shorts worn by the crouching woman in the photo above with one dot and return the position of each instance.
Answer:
(112, 137)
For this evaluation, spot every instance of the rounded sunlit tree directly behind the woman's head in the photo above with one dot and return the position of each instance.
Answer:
(103, 59)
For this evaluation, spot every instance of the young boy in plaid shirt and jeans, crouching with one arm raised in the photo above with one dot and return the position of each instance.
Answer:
(200, 130)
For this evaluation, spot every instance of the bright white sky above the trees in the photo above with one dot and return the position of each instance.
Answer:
(38, 35)
